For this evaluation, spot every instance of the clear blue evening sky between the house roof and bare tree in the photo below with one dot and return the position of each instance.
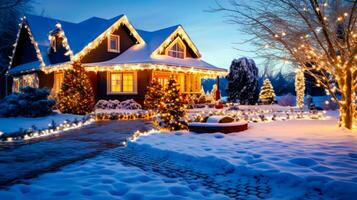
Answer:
(213, 36)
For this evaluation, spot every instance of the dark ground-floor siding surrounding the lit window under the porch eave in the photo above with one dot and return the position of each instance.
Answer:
(143, 80)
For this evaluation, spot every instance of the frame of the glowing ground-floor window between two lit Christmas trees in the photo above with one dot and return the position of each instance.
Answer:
(109, 83)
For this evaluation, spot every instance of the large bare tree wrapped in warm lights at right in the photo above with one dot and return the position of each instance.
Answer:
(318, 35)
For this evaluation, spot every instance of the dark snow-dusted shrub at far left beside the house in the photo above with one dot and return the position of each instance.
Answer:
(30, 102)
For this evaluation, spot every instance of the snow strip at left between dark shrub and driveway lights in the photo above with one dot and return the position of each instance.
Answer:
(12, 124)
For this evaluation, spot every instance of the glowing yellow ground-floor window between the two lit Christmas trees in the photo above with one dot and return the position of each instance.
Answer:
(122, 82)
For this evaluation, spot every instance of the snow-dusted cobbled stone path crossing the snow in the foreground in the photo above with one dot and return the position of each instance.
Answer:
(257, 187)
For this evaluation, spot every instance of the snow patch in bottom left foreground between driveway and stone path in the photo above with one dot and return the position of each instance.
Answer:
(104, 178)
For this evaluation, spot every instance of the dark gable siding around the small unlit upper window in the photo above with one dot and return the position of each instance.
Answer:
(101, 53)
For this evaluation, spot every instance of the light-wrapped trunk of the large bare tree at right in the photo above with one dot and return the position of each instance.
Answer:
(347, 109)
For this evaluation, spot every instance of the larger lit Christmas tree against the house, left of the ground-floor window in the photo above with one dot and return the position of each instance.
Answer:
(76, 95)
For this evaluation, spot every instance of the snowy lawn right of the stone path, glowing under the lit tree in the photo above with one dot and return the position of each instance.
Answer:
(304, 154)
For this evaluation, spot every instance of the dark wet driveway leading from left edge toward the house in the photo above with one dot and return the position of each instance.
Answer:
(23, 161)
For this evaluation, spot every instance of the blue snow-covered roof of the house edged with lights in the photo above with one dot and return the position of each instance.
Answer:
(79, 35)
